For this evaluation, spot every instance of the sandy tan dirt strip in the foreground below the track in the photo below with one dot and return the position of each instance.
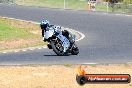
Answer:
(56, 76)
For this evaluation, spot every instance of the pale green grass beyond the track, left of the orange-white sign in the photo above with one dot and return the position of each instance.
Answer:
(70, 4)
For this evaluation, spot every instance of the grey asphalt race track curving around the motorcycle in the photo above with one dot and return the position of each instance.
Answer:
(108, 37)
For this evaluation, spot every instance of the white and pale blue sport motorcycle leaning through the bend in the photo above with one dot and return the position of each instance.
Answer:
(60, 44)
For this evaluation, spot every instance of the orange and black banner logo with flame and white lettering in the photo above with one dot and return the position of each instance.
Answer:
(82, 77)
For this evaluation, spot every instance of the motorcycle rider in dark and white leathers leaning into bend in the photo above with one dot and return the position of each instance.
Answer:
(45, 26)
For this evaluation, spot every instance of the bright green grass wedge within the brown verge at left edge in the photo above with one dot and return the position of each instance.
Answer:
(8, 32)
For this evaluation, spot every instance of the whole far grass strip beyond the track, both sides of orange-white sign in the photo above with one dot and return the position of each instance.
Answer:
(69, 4)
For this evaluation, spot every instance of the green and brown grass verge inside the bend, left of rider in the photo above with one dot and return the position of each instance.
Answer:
(16, 34)
